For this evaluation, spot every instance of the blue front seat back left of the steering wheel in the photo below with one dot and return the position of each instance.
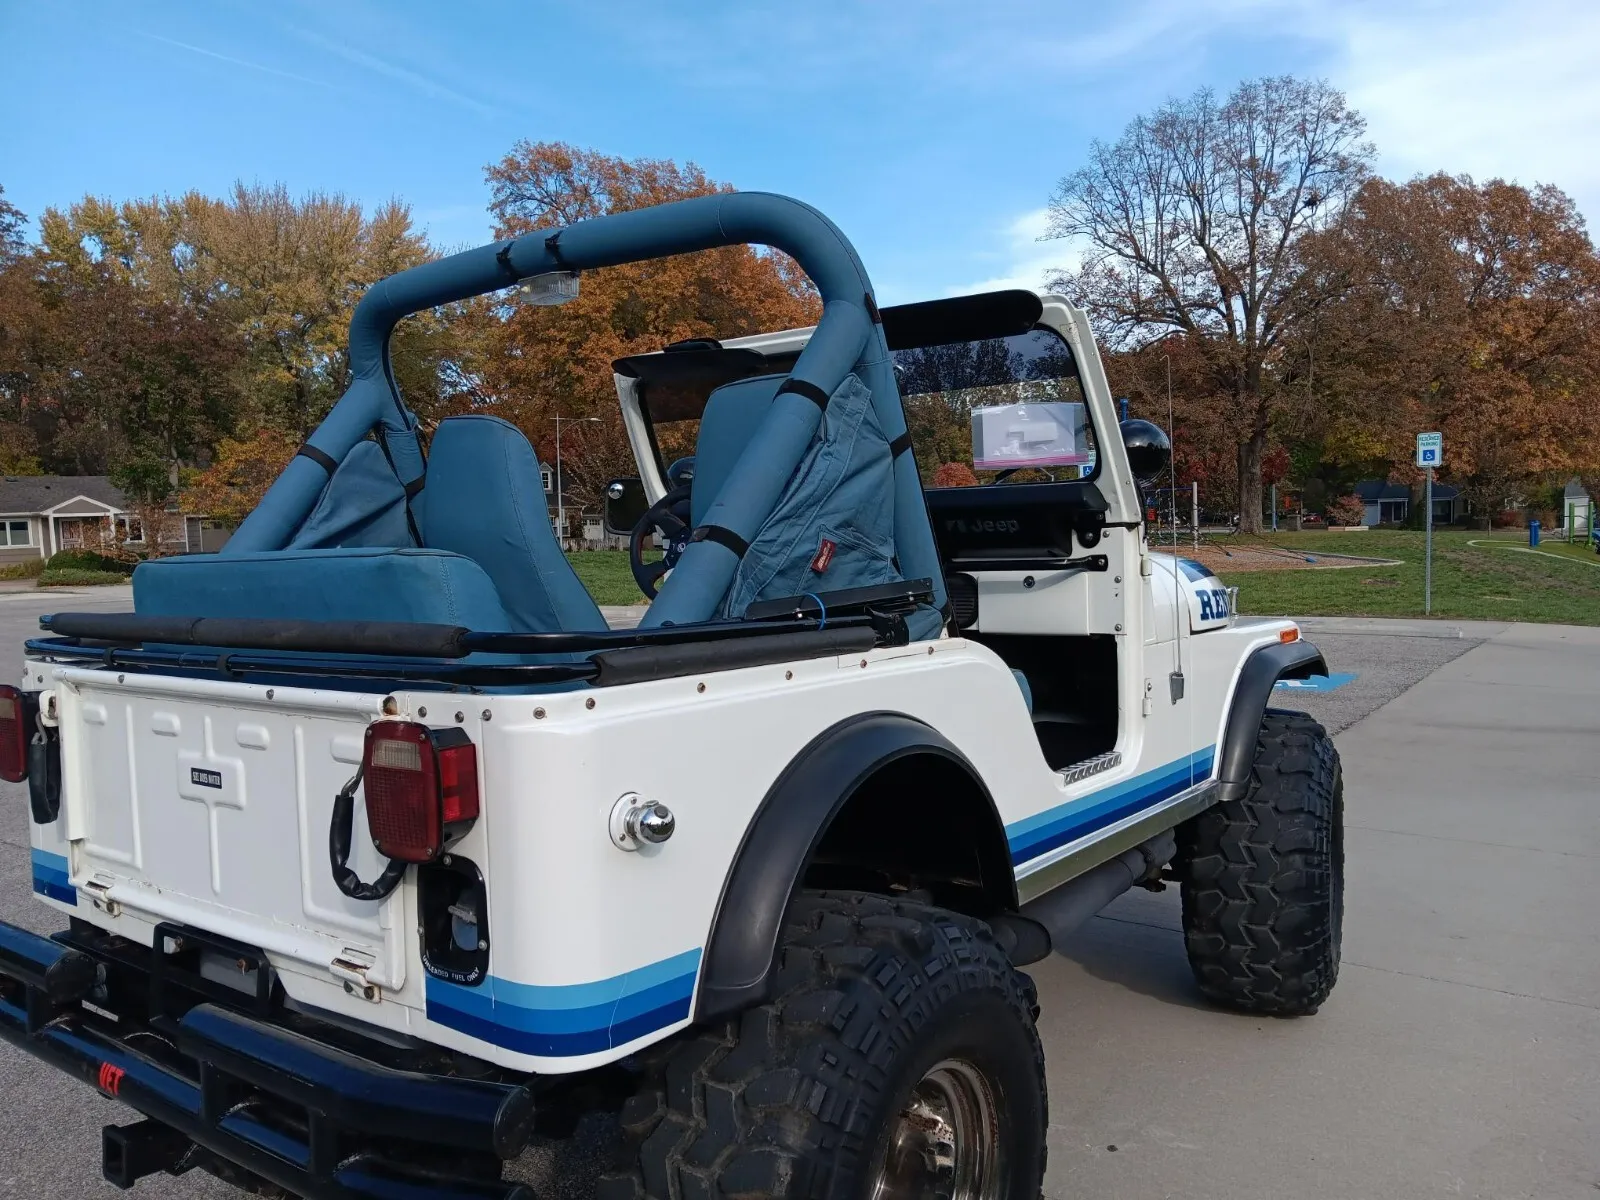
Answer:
(486, 500)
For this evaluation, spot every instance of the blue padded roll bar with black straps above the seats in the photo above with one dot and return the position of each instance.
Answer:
(847, 338)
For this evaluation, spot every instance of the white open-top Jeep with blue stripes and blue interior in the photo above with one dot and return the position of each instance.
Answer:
(380, 852)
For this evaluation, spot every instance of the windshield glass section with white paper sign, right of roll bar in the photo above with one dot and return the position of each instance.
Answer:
(1001, 410)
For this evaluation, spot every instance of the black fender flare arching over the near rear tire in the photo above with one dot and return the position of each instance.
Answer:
(786, 831)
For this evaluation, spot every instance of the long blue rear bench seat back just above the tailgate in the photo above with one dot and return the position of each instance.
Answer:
(332, 585)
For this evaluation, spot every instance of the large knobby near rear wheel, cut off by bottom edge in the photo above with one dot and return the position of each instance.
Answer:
(897, 1058)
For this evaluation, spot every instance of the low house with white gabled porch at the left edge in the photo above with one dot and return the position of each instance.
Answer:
(44, 514)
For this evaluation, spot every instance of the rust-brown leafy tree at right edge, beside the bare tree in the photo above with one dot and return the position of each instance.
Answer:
(1473, 310)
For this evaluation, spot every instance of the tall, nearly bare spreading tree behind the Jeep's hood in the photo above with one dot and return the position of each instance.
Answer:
(1193, 223)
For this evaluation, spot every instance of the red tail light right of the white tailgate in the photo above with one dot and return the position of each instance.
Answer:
(422, 790)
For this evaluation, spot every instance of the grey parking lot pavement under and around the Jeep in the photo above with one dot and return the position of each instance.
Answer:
(1460, 1055)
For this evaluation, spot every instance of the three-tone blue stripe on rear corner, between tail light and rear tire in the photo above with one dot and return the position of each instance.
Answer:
(572, 1018)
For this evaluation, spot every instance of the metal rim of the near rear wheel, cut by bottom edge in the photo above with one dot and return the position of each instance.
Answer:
(945, 1145)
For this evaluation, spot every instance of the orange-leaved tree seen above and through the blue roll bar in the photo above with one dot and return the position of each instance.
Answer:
(538, 362)
